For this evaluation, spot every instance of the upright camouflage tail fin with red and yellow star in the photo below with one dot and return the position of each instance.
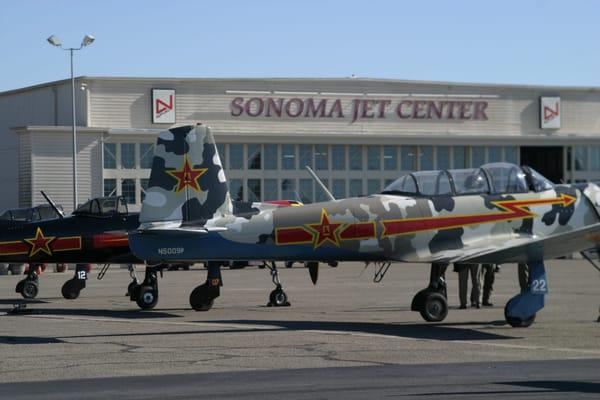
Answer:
(187, 181)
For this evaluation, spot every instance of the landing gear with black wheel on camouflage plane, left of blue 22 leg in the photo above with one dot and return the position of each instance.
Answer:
(432, 302)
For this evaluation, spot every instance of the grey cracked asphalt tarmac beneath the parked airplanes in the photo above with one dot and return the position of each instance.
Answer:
(347, 337)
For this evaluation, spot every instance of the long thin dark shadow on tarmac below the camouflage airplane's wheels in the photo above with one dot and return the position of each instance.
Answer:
(417, 331)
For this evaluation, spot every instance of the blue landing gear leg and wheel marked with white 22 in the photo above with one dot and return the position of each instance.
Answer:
(520, 311)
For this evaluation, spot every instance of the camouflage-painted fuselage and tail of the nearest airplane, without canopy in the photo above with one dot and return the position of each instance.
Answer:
(345, 229)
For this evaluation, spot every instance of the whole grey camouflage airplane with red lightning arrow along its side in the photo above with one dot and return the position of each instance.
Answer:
(498, 213)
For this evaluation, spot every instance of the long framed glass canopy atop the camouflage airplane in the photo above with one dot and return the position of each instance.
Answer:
(492, 178)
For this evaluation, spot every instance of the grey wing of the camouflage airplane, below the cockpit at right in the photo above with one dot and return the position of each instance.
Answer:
(525, 248)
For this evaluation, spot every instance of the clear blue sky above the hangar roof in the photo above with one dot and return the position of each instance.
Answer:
(521, 42)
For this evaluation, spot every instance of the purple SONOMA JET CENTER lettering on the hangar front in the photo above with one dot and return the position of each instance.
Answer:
(358, 109)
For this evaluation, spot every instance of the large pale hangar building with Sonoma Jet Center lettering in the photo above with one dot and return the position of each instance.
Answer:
(358, 134)
